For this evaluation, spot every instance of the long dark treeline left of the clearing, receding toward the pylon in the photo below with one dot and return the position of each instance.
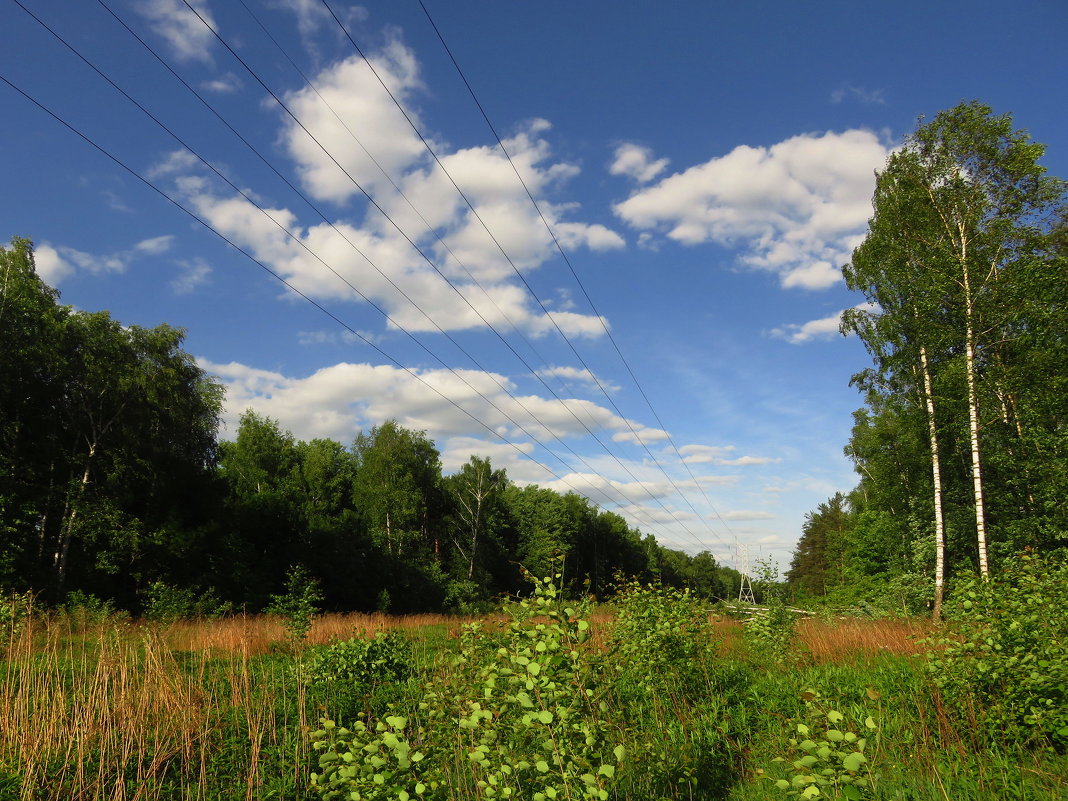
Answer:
(114, 484)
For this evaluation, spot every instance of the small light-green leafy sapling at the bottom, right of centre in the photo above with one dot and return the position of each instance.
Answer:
(827, 758)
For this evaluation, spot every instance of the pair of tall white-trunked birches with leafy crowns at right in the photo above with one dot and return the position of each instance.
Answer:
(962, 214)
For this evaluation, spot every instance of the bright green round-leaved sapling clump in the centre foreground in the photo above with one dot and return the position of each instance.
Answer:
(517, 709)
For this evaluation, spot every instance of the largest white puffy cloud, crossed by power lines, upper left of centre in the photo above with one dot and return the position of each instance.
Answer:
(457, 271)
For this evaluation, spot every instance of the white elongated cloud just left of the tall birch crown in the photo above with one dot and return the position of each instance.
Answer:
(796, 209)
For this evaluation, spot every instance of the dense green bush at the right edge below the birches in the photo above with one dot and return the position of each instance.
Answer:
(1003, 665)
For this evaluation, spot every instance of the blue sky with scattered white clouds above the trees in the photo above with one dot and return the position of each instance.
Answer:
(705, 167)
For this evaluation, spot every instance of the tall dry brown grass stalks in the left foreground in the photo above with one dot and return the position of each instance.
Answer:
(107, 712)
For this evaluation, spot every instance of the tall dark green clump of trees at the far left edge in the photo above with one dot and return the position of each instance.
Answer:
(108, 432)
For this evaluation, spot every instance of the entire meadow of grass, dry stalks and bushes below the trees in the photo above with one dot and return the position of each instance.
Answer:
(650, 697)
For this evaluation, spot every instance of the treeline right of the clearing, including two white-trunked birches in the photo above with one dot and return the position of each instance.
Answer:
(963, 445)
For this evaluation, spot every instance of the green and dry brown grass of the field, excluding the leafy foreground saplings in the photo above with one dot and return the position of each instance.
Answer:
(224, 710)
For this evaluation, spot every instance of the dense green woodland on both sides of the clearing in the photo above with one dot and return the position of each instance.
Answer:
(114, 481)
